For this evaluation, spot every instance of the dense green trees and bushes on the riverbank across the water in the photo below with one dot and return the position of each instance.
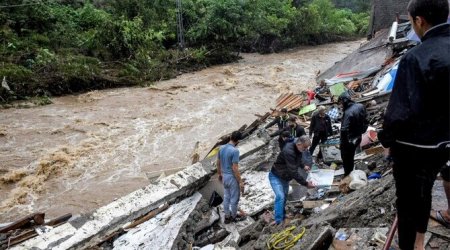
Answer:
(57, 47)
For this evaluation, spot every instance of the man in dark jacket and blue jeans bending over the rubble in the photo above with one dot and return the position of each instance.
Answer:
(284, 170)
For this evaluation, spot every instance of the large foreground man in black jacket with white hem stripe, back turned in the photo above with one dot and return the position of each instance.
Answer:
(416, 123)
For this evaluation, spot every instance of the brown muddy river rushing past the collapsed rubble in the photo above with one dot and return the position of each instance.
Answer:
(83, 151)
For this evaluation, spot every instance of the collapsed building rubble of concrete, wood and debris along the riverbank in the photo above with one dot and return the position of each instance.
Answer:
(176, 212)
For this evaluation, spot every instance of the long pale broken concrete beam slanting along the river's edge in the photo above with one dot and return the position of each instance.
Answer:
(90, 229)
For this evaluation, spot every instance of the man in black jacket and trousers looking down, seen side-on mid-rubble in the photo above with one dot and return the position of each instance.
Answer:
(353, 125)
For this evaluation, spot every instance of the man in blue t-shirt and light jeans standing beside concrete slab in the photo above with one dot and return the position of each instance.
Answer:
(228, 170)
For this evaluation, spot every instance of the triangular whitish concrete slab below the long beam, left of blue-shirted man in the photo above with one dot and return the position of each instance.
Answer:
(160, 230)
